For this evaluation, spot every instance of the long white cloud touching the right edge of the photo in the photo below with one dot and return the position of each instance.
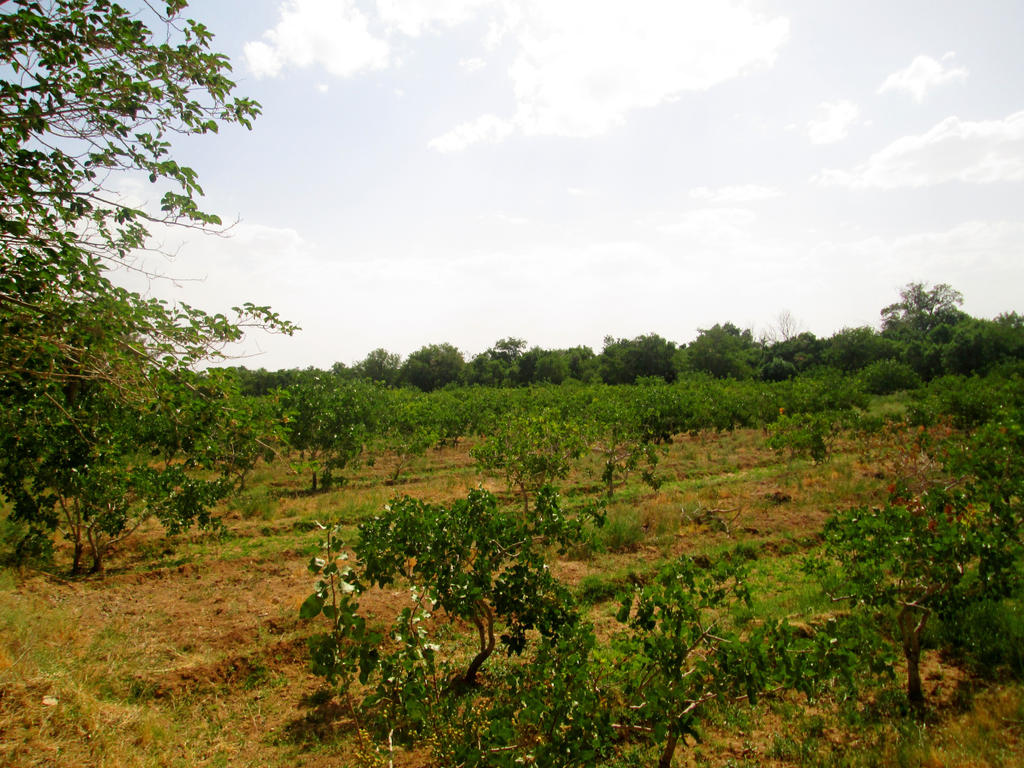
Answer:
(956, 150)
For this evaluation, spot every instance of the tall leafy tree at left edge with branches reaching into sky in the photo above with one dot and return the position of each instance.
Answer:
(90, 93)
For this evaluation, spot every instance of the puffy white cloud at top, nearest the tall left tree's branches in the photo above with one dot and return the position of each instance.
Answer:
(332, 34)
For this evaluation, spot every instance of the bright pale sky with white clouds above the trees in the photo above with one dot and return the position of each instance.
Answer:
(461, 172)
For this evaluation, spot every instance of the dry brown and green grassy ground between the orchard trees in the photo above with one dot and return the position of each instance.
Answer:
(191, 652)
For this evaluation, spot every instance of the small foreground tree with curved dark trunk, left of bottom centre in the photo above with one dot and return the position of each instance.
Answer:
(474, 561)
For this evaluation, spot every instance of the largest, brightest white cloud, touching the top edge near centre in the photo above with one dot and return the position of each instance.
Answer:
(581, 67)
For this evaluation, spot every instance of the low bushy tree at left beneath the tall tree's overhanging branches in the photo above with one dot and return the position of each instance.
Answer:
(98, 467)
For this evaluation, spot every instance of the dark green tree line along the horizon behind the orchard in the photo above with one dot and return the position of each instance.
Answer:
(923, 335)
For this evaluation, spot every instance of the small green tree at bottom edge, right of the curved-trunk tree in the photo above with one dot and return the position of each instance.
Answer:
(680, 654)
